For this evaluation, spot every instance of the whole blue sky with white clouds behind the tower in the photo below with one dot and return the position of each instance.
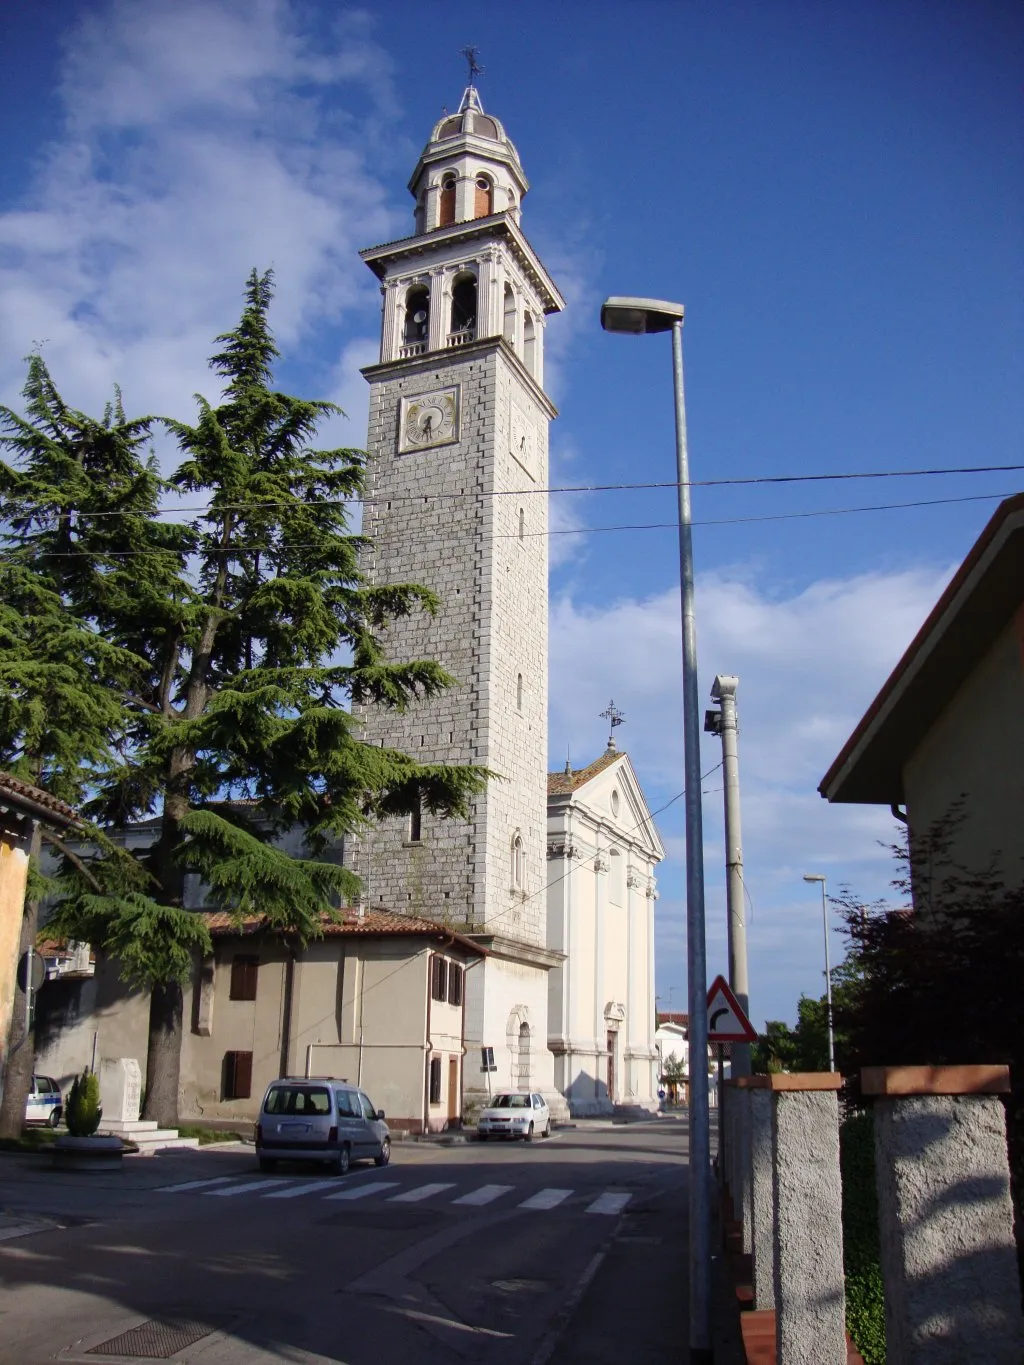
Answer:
(834, 190)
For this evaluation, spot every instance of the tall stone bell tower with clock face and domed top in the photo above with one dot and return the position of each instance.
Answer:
(455, 500)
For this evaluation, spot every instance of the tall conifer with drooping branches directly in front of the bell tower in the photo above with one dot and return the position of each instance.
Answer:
(255, 645)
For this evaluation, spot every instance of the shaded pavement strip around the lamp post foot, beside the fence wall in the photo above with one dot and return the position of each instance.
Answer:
(631, 1308)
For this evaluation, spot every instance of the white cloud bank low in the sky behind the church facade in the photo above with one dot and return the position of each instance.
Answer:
(809, 663)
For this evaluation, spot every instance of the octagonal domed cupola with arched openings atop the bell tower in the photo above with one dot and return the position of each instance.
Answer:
(469, 170)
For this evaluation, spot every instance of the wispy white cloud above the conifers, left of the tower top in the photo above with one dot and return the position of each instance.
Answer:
(199, 141)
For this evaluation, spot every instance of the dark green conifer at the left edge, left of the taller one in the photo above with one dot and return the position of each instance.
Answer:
(62, 682)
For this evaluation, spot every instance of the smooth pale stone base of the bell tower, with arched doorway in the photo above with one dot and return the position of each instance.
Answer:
(507, 1015)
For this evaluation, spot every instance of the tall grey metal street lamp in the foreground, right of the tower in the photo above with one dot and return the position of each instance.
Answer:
(637, 317)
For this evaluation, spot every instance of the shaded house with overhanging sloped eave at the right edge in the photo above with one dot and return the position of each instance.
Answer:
(944, 739)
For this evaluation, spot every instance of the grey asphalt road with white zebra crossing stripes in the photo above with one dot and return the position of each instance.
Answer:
(479, 1254)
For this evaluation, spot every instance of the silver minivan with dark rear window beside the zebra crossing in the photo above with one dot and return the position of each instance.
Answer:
(316, 1119)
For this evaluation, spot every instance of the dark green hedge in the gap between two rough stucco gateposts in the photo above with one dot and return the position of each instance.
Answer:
(865, 1300)
